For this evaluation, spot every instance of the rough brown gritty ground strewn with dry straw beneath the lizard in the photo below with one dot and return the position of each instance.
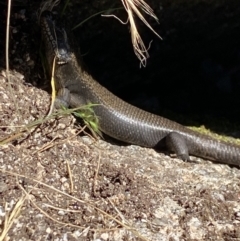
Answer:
(57, 184)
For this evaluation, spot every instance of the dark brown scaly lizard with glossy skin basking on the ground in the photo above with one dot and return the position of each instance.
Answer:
(117, 118)
